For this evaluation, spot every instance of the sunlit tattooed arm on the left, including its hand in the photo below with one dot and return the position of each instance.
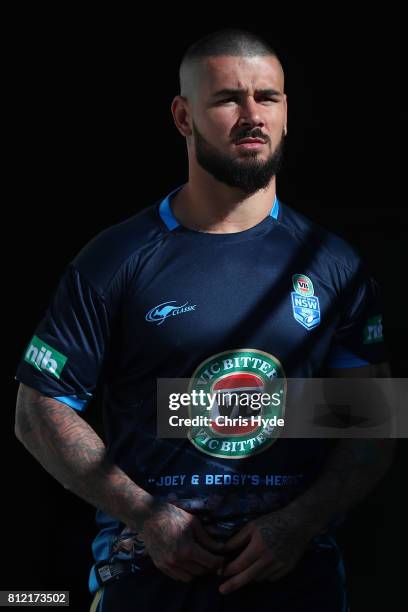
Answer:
(71, 451)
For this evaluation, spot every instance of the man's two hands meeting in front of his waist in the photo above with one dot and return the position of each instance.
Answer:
(265, 549)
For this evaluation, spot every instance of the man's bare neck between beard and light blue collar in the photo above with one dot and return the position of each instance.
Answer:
(210, 206)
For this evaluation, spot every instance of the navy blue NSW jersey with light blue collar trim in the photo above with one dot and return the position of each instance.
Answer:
(149, 298)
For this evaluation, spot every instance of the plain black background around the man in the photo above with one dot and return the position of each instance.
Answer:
(92, 142)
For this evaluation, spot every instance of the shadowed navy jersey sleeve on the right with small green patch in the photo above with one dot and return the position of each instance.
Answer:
(358, 339)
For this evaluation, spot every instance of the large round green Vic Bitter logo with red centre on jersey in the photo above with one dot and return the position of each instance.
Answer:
(241, 374)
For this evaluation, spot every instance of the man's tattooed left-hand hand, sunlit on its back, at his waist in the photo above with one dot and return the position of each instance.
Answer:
(178, 543)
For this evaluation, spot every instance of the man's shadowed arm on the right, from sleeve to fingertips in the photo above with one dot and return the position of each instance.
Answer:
(274, 543)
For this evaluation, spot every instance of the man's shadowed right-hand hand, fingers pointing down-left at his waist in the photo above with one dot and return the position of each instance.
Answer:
(272, 546)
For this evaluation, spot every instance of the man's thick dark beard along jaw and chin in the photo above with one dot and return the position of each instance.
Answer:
(247, 173)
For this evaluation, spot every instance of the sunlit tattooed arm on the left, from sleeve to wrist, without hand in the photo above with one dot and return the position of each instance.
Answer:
(69, 449)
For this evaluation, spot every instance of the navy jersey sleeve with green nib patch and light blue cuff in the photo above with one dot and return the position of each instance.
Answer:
(64, 357)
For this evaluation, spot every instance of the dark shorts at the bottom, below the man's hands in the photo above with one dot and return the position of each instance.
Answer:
(315, 585)
